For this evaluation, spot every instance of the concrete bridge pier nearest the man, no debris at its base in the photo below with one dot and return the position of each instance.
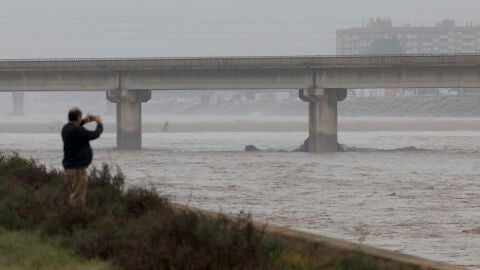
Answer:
(129, 116)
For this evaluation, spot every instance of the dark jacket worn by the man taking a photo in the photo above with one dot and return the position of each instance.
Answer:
(77, 153)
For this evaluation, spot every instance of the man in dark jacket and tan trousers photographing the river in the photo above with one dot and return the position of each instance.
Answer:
(77, 153)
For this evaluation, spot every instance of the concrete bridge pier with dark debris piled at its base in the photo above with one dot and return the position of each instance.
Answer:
(323, 118)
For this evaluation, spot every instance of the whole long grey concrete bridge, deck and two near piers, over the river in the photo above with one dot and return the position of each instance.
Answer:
(322, 81)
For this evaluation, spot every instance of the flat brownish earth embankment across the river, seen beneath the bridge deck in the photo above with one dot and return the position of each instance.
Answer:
(346, 124)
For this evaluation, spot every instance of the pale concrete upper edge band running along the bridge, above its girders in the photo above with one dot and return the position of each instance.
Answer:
(209, 63)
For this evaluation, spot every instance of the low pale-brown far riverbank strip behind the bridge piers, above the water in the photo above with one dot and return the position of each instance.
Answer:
(183, 124)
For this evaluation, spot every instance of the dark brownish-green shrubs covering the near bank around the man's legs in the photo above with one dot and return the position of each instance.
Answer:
(134, 228)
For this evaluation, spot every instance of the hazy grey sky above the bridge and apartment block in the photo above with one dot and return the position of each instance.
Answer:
(148, 28)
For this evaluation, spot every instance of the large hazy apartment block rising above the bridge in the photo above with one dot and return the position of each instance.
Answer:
(444, 37)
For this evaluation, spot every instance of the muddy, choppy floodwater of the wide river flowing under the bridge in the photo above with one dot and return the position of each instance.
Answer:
(417, 192)
